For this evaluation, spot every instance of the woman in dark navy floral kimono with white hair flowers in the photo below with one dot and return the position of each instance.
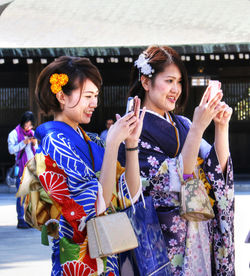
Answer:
(160, 81)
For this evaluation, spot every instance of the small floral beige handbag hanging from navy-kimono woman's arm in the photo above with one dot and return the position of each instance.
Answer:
(194, 204)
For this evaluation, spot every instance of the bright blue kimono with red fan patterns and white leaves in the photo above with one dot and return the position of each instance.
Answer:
(67, 166)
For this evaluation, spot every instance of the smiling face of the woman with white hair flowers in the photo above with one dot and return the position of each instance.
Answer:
(162, 94)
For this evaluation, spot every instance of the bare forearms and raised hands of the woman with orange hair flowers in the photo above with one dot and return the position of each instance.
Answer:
(127, 128)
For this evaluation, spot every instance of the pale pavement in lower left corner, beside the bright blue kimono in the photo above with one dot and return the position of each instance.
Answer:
(21, 252)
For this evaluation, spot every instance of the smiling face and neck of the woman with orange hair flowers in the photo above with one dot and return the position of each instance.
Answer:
(78, 110)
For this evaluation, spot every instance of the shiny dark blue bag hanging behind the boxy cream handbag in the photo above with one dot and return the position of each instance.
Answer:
(150, 257)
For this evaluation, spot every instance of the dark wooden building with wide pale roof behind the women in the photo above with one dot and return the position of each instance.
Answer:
(212, 38)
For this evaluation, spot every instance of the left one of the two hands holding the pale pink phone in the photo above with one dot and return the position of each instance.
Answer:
(207, 109)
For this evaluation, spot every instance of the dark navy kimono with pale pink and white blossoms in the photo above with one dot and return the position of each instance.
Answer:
(194, 248)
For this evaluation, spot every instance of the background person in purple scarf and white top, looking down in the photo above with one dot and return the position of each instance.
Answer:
(22, 144)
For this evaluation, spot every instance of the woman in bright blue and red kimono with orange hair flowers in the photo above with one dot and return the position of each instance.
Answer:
(80, 177)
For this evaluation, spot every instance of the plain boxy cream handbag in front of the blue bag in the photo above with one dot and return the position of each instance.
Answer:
(110, 234)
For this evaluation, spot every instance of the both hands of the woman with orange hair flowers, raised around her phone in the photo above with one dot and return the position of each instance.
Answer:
(127, 127)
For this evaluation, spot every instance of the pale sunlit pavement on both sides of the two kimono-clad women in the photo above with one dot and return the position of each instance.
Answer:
(22, 254)
